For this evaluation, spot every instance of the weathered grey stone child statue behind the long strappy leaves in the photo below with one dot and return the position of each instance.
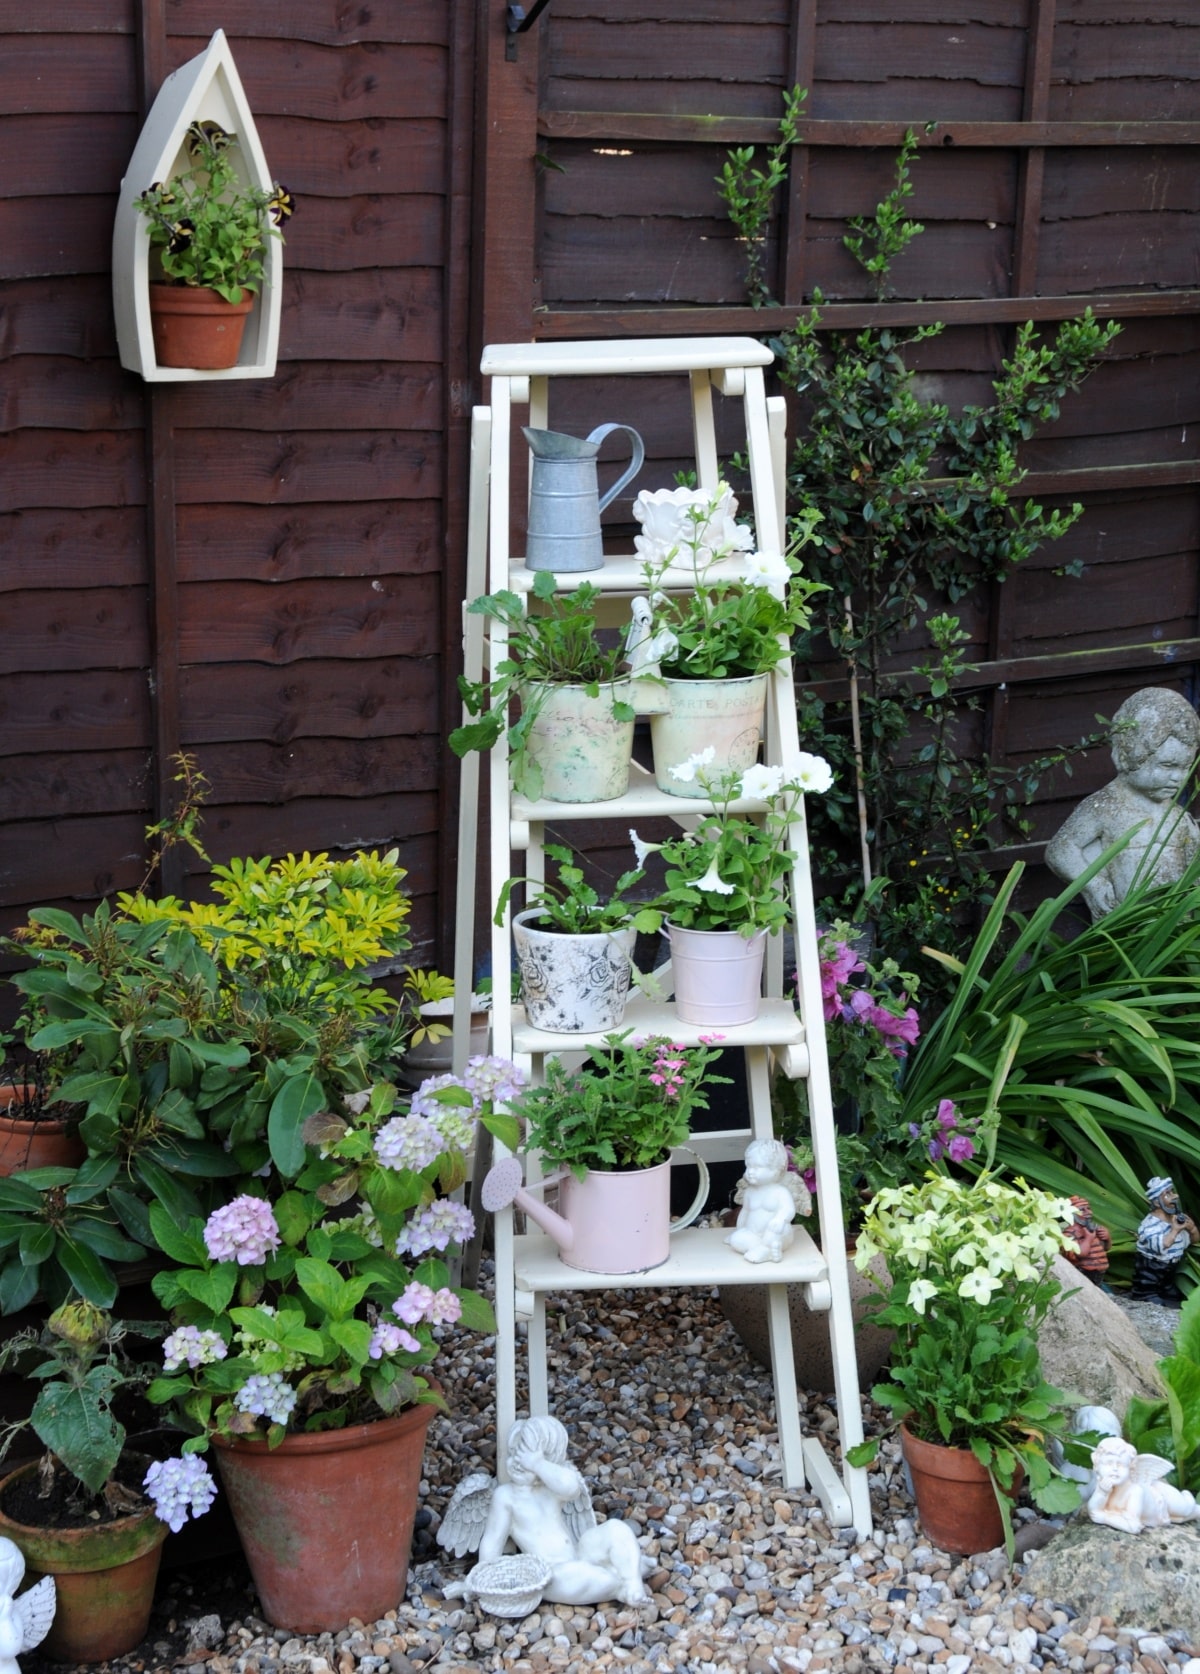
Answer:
(1156, 744)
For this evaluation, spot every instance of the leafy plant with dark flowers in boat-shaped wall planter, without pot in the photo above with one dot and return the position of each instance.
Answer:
(208, 227)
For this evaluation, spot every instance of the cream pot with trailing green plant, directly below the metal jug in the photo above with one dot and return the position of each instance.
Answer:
(572, 739)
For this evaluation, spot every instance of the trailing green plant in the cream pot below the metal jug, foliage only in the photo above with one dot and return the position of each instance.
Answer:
(551, 645)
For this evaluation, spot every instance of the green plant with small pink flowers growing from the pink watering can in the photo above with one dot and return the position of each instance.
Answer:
(627, 1109)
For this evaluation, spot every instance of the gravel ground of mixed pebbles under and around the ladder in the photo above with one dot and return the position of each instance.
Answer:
(674, 1430)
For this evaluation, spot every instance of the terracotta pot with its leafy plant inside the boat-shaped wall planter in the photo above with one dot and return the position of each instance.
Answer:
(212, 232)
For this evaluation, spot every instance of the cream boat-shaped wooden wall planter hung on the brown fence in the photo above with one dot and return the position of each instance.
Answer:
(207, 90)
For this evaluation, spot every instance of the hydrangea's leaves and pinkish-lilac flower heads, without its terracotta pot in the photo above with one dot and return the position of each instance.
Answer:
(315, 1302)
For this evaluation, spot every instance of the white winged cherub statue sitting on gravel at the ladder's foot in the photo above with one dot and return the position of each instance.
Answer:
(546, 1512)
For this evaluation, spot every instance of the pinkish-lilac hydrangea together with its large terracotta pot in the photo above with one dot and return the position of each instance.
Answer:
(307, 1317)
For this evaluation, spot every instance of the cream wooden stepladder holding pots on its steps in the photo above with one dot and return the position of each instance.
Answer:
(786, 1035)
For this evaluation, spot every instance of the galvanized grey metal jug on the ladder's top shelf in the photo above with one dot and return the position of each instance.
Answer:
(565, 500)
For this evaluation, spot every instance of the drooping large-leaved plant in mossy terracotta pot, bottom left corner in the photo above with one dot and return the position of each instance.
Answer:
(93, 1512)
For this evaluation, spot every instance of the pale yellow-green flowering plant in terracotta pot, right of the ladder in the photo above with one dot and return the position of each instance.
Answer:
(970, 1286)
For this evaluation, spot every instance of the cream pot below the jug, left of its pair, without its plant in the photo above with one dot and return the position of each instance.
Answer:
(578, 742)
